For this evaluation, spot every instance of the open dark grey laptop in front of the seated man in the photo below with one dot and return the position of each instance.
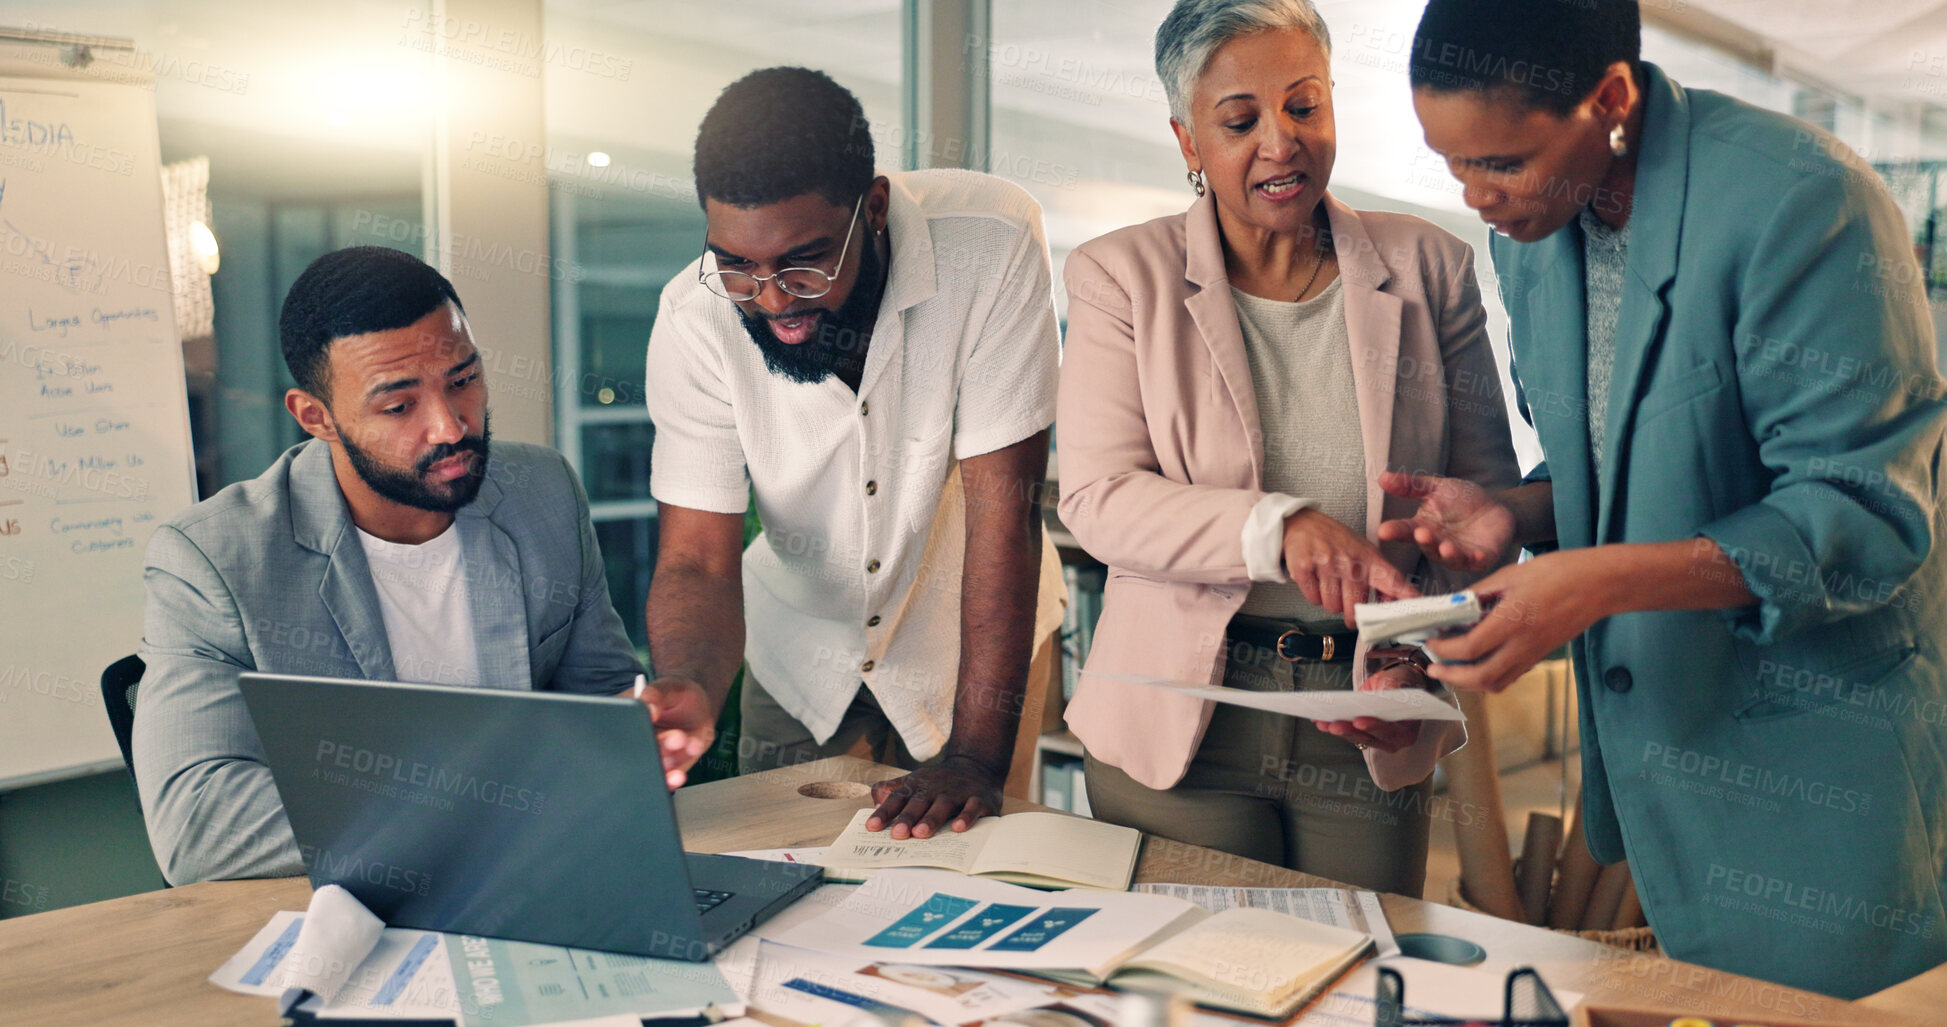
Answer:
(529, 816)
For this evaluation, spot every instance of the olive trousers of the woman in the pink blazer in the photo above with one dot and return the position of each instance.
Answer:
(1280, 790)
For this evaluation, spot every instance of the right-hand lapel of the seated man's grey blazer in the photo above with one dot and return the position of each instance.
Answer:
(496, 593)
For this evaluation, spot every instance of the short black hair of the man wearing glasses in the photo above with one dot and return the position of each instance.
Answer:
(780, 133)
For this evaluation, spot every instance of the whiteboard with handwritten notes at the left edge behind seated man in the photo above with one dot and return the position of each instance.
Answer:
(94, 422)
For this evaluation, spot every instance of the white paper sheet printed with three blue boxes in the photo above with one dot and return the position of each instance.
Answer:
(941, 919)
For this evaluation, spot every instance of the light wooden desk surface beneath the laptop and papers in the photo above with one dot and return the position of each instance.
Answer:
(145, 960)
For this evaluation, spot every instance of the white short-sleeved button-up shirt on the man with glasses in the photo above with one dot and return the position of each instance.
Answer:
(858, 572)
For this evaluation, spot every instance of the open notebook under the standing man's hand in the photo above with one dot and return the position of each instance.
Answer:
(1050, 851)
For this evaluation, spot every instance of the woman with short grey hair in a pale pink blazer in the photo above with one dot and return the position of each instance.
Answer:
(1237, 383)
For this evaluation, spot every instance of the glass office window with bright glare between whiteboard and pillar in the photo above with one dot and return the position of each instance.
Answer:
(316, 126)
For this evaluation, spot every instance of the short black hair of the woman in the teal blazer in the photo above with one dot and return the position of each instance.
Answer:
(1545, 54)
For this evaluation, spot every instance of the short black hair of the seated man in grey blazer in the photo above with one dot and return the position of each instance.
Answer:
(351, 293)
